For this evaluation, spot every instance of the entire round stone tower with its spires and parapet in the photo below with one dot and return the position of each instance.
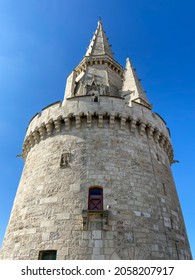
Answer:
(97, 182)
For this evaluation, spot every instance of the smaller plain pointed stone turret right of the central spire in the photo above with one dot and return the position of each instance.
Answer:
(132, 84)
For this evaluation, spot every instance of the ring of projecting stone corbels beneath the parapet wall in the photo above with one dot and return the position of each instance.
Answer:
(54, 126)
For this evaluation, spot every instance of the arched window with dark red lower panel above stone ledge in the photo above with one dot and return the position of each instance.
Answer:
(95, 201)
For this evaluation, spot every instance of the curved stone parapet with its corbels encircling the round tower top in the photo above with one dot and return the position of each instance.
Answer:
(109, 113)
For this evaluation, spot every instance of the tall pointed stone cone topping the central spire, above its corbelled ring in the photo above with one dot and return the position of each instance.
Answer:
(99, 44)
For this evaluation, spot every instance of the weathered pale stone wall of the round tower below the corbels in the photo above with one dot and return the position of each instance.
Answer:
(139, 213)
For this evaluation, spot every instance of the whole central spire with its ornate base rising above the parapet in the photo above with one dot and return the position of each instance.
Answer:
(98, 73)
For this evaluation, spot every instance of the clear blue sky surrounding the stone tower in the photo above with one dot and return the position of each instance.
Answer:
(41, 41)
